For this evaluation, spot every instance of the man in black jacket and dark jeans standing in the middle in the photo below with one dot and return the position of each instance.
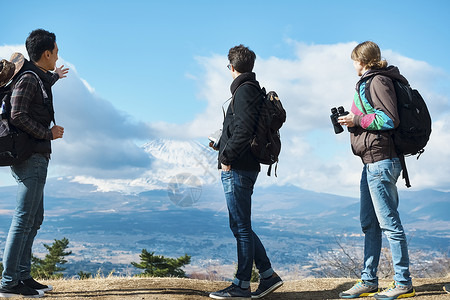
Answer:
(239, 172)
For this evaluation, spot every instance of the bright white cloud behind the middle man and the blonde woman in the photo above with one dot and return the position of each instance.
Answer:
(318, 78)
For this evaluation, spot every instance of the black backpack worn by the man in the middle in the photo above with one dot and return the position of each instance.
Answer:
(266, 143)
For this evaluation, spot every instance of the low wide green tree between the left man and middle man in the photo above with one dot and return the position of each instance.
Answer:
(160, 266)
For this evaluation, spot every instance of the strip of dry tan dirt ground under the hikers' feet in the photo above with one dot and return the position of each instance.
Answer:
(177, 288)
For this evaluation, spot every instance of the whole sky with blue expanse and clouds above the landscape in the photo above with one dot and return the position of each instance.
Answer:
(158, 68)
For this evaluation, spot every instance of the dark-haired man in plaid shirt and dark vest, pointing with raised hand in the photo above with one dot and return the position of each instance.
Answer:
(31, 112)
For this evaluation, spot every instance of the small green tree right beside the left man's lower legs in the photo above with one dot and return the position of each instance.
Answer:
(49, 267)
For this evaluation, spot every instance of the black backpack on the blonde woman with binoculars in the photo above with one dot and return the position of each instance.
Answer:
(412, 134)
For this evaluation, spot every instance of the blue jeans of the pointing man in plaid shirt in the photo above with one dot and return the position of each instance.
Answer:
(28, 216)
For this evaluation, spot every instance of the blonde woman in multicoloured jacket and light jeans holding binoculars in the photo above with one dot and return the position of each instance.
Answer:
(372, 120)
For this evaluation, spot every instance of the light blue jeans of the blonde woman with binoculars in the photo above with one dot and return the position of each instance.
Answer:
(379, 203)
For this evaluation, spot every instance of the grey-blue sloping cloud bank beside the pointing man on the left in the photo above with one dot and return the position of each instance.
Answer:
(99, 140)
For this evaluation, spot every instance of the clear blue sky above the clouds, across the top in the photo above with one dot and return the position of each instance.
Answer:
(136, 52)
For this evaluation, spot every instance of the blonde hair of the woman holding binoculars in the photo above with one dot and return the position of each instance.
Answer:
(369, 55)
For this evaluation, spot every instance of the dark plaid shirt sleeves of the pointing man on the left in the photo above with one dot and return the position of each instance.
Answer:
(23, 95)
